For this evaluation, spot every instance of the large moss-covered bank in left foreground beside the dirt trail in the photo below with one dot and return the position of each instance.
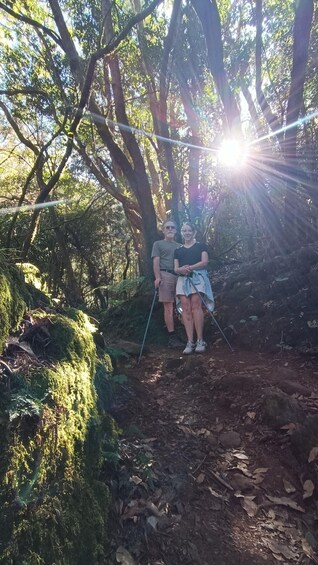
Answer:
(55, 508)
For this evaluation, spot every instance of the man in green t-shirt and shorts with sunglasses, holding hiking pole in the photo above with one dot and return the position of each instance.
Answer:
(165, 277)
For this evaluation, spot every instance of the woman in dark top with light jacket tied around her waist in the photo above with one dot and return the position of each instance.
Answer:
(193, 286)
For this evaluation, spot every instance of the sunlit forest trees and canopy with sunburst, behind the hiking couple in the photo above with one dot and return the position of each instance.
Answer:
(117, 111)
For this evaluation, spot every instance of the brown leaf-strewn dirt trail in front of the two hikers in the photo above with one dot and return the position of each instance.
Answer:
(202, 479)
